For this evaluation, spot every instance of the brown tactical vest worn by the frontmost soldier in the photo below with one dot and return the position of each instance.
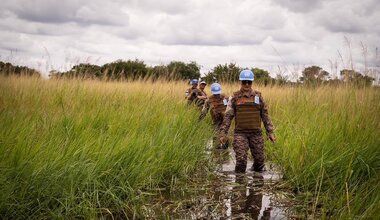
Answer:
(247, 113)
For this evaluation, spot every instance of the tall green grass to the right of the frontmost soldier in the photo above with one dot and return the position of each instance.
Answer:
(329, 148)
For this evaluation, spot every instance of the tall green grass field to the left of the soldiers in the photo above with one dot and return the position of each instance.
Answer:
(86, 148)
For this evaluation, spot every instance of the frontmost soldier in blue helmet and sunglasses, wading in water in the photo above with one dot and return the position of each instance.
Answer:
(249, 109)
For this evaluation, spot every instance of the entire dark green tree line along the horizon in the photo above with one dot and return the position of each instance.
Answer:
(178, 70)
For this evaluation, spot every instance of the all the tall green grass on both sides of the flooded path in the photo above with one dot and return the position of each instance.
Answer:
(86, 148)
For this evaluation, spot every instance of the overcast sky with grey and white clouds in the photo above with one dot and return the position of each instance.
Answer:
(276, 35)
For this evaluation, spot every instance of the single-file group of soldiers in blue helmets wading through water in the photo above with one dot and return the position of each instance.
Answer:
(248, 108)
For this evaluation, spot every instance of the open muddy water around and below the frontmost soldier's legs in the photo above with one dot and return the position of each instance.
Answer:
(252, 194)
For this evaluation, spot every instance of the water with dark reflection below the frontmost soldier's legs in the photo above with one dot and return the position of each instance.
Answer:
(246, 197)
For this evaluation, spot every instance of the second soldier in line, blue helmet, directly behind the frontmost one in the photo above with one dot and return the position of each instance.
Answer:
(218, 103)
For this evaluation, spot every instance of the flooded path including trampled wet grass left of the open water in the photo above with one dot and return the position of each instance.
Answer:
(223, 194)
